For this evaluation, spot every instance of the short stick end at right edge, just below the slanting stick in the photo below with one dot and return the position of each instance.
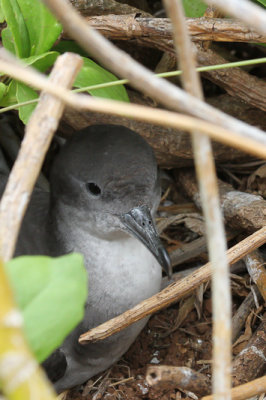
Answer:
(255, 266)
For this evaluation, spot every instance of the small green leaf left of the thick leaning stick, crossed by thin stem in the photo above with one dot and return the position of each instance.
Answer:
(25, 93)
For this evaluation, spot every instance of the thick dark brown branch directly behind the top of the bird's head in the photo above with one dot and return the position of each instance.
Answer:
(172, 147)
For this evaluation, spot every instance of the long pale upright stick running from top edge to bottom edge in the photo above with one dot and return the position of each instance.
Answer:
(205, 168)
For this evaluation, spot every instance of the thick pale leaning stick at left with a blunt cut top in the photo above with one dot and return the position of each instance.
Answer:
(38, 136)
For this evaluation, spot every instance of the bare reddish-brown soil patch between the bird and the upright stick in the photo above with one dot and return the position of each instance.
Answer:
(188, 346)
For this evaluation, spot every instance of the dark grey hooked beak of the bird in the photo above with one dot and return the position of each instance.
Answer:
(139, 223)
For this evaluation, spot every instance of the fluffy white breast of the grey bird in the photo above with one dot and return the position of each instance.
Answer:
(121, 274)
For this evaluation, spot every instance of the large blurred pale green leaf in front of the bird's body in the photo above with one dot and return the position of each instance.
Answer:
(51, 293)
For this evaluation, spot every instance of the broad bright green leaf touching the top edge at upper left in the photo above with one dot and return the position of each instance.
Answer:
(42, 26)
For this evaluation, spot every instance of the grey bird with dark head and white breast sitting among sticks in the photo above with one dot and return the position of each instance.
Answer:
(104, 193)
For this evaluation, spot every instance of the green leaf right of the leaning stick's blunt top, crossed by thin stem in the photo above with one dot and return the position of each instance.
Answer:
(93, 74)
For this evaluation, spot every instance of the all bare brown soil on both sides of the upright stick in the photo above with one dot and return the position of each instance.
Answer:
(161, 343)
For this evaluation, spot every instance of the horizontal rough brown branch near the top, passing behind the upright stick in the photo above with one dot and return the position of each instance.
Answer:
(125, 27)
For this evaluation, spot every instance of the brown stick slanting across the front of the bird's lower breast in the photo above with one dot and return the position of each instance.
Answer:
(172, 293)
